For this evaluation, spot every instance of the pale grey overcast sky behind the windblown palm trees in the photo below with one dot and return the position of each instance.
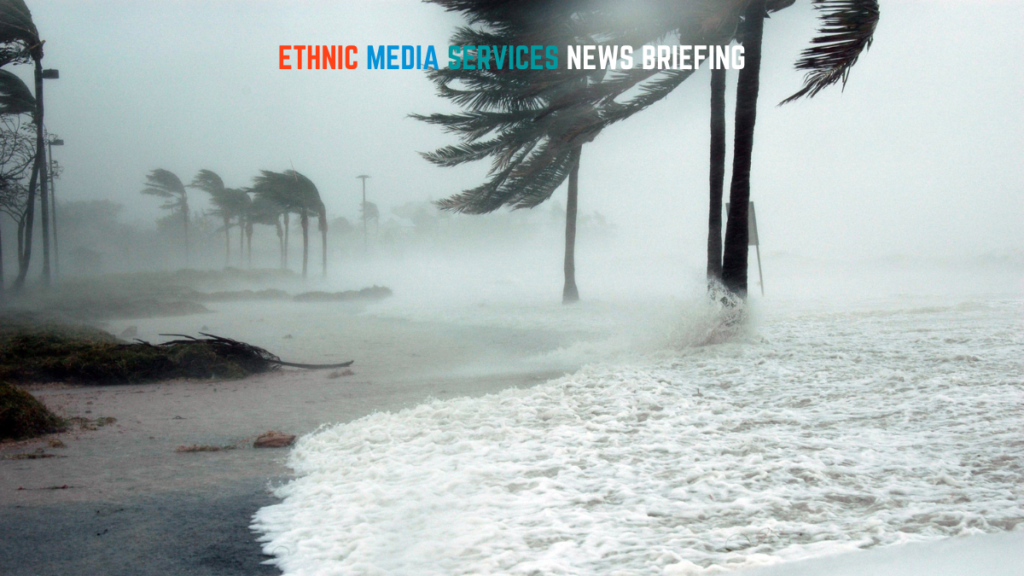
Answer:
(921, 154)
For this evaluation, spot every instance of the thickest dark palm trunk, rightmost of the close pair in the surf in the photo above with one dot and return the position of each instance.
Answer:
(738, 233)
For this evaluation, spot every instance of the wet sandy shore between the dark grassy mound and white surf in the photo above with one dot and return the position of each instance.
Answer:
(120, 501)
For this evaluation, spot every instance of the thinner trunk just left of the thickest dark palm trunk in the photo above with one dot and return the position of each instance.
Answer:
(717, 176)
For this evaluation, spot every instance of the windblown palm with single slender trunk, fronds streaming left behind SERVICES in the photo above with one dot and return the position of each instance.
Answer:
(519, 118)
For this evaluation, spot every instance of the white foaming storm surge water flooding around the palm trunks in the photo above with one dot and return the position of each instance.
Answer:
(817, 431)
